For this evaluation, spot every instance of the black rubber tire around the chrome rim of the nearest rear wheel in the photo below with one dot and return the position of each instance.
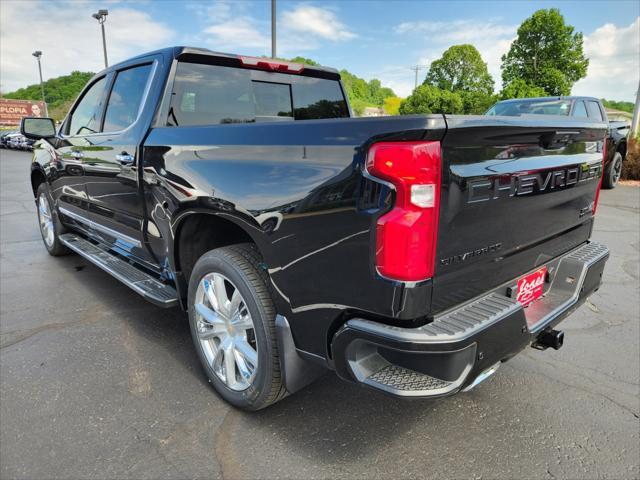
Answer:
(241, 265)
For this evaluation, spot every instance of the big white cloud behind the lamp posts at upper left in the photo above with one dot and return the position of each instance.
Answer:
(70, 39)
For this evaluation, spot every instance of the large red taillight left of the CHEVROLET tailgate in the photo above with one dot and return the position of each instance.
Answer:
(406, 236)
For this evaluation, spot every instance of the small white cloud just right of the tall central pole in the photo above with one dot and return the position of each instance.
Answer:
(316, 21)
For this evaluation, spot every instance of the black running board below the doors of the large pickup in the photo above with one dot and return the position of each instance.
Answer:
(142, 283)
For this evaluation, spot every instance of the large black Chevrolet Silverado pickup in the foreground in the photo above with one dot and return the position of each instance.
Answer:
(409, 254)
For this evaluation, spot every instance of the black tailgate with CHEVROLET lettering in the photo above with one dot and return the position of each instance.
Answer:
(516, 192)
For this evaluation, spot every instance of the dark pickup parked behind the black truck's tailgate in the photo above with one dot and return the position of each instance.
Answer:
(578, 107)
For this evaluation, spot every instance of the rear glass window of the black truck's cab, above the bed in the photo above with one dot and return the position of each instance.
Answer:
(212, 94)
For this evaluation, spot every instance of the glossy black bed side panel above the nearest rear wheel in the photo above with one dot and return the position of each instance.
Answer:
(294, 187)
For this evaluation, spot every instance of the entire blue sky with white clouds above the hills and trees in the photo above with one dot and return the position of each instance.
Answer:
(370, 38)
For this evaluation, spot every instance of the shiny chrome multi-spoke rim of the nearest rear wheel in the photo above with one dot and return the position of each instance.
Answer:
(226, 332)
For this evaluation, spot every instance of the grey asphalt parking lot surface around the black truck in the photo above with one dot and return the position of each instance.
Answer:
(97, 383)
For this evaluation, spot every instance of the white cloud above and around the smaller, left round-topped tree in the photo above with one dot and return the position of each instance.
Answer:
(492, 39)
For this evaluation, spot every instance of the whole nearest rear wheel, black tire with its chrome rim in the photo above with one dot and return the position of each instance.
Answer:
(232, 320)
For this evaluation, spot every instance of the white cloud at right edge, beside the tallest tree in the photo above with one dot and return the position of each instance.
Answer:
(614, 62)
